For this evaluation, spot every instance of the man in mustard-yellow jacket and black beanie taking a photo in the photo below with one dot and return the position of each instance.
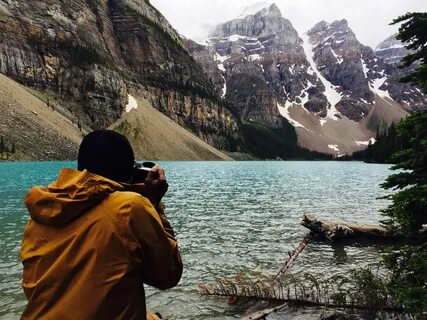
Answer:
(93, 239)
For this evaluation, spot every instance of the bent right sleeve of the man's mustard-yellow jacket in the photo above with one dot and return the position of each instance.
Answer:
(161, 260)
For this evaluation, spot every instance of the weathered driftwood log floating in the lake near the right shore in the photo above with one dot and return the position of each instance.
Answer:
(339, 230)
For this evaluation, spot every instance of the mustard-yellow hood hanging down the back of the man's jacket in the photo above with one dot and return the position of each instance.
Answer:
(70, 196)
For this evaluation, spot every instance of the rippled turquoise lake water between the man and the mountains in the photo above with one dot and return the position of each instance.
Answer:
(229, 217)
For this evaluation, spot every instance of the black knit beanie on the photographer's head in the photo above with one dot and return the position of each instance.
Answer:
(108, 154)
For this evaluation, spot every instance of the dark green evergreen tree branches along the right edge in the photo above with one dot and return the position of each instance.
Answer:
(408, 211)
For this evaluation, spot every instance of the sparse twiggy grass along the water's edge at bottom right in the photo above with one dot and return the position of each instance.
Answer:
(360, 290)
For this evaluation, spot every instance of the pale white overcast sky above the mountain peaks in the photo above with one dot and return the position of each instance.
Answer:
(369, 19)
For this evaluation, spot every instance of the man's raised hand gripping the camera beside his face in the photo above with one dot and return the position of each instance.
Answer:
(154, 187)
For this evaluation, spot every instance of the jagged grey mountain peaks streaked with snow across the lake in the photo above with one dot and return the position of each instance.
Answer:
(332, 89)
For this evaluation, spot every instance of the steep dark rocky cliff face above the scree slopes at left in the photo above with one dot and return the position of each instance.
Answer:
(90, 52)
